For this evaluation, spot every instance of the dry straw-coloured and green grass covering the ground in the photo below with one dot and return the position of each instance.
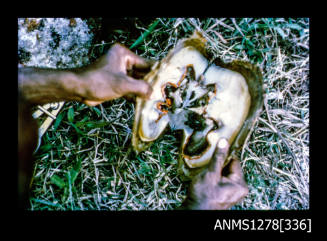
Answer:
(85, 161)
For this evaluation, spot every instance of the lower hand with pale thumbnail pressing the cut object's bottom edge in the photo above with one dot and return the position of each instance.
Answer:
(217, 187)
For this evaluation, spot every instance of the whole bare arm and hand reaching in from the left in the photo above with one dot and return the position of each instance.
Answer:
(110, 77)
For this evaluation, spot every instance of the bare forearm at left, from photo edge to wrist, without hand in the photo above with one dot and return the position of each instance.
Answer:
(40, 86)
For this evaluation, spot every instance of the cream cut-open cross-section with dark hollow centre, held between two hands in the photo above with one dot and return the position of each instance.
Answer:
(192, 94)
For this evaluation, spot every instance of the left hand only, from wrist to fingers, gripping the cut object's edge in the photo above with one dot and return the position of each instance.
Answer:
(116, 74)
